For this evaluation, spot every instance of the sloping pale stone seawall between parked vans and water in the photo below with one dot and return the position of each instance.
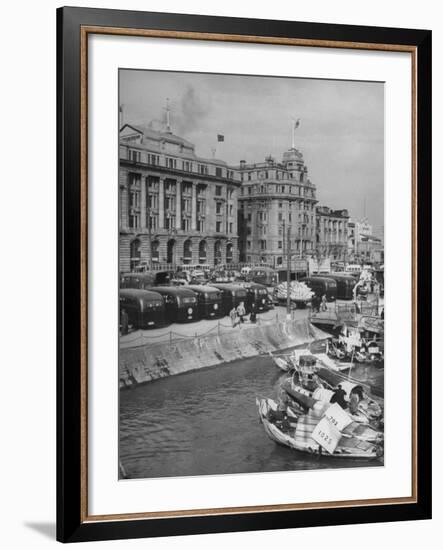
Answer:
(153, 361)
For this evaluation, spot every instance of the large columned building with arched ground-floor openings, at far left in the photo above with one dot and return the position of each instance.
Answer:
(175, 207)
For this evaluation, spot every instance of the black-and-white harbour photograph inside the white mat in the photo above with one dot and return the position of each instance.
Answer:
(251, 259)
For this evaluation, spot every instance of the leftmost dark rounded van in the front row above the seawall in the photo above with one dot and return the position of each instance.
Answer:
(145, 309)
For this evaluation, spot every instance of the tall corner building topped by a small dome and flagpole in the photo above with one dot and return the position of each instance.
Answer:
(275, 196)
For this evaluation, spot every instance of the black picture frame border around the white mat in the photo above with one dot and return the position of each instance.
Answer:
(72, 525)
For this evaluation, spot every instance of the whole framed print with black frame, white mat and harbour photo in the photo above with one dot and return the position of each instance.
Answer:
(244, 244)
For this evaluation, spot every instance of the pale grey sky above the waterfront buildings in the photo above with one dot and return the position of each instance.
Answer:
(341, 131)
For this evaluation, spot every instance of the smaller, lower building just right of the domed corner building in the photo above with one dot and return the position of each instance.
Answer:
(332, 233)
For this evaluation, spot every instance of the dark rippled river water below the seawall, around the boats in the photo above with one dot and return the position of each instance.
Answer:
(206, 422)
